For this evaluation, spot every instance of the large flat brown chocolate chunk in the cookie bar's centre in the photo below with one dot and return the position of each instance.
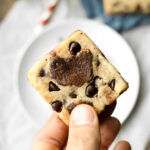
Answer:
(75, 70)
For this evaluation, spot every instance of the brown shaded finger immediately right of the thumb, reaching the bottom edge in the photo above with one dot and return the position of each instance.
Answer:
(108, 131)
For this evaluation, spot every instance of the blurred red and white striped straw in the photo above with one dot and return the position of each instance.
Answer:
(46, 16)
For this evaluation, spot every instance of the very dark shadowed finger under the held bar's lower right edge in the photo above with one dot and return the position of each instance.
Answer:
(107, 112)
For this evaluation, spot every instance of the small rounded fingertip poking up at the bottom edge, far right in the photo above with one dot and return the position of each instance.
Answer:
(122, 145)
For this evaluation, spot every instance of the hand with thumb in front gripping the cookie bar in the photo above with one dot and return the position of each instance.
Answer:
(86, 132)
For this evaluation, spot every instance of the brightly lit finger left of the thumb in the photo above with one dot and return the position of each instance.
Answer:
(52, 136)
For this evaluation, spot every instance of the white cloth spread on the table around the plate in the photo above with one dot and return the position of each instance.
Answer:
(17, 131)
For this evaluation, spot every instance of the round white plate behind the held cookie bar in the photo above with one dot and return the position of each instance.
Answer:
(110, 42)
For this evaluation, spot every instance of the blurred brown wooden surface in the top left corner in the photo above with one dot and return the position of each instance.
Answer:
(5, 5)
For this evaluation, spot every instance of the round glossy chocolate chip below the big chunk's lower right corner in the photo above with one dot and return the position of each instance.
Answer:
(91, 90)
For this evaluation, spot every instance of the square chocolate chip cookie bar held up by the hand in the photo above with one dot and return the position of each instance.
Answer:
(76, 72)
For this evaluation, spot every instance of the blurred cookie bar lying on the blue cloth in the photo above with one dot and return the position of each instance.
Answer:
(126, 6)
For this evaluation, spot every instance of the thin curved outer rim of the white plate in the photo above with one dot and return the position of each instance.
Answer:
(31, 40)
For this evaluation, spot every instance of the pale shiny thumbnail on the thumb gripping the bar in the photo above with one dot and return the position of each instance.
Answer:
(82, 115)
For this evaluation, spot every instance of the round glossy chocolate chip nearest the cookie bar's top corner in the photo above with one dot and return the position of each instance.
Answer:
(74, 48)
